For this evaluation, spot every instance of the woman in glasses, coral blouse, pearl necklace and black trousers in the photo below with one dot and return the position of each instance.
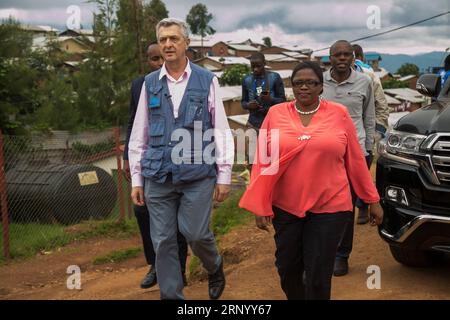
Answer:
(305, 191)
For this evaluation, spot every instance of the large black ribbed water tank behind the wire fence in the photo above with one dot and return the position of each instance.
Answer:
(59, 193)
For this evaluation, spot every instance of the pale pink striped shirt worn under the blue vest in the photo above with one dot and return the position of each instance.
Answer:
(222, 133)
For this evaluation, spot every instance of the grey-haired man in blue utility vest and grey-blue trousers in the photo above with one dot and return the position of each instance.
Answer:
(182, 149)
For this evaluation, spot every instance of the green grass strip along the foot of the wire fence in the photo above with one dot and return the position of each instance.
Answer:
(28, 239)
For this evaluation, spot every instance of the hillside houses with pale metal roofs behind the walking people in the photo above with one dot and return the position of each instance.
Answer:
(219, 56)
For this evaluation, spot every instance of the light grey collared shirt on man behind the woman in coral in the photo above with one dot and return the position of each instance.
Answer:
(355, 93)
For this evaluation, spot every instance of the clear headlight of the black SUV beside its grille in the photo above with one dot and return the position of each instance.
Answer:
(400, 146)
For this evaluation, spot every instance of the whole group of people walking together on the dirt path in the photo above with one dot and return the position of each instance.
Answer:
(326, 137)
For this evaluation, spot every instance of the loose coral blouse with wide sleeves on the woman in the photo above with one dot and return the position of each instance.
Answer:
(314, 166)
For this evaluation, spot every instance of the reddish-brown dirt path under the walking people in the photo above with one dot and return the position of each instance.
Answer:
(249, 266)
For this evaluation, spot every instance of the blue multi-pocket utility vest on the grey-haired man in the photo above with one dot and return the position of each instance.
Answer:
(193, 117)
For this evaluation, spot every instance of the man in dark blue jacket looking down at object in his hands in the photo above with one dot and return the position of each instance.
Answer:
(260, 90)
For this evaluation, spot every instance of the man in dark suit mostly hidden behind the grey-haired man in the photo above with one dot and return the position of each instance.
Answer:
(155, 62)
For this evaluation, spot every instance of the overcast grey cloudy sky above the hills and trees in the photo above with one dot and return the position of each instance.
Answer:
(309, 24)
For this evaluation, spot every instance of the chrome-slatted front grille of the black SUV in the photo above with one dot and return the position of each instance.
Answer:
(441, 159)
